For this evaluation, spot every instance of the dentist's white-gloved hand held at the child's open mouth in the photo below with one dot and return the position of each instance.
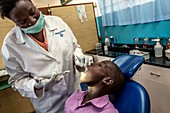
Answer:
(81, 61)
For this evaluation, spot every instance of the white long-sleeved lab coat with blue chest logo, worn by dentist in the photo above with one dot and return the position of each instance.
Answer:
(23, 59)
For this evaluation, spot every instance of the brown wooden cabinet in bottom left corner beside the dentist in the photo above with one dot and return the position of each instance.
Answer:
(12, 102)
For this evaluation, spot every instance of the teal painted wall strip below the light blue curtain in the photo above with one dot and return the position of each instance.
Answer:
(125, 34)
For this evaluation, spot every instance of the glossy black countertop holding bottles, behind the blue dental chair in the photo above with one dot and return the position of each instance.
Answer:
(162, 62)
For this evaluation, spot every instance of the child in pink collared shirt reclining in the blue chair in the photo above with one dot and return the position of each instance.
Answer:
(102, 78)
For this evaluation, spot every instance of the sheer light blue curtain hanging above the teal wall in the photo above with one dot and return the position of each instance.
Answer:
(125, 12)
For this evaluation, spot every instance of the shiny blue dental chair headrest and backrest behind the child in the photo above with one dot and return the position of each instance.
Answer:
(133, 98)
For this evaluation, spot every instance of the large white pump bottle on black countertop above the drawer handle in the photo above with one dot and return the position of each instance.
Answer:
(158, 49)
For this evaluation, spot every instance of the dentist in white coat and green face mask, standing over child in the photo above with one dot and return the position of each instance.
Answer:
(35, 54)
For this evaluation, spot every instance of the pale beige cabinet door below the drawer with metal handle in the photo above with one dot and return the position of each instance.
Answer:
(159, 95)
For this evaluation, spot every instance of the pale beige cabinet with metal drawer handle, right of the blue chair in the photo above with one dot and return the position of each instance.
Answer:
(156, 80)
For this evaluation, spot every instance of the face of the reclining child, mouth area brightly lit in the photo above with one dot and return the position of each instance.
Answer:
(95, 72)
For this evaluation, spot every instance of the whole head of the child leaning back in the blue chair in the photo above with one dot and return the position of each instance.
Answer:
(104, 74)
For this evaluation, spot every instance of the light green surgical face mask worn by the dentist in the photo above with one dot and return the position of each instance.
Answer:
(37, 27)
